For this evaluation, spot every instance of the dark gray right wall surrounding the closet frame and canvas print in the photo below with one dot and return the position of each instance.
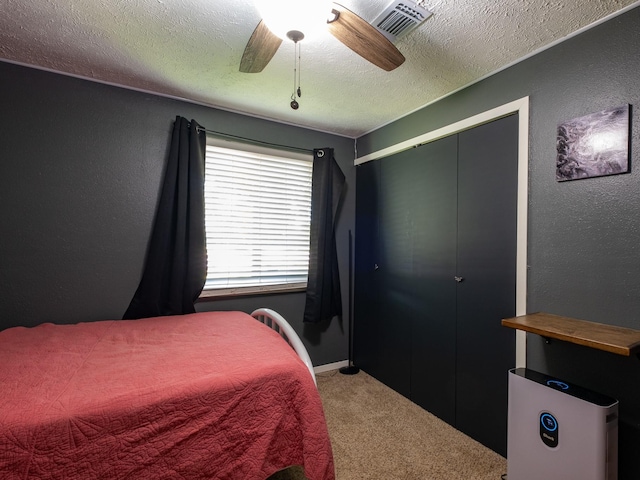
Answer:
(583, 236)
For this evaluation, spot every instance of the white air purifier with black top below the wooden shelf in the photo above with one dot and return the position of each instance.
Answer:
(559, 431)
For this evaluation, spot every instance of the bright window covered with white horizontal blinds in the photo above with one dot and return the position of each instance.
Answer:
(257, 218)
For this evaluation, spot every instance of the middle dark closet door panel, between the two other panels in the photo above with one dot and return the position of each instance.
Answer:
(433, 336)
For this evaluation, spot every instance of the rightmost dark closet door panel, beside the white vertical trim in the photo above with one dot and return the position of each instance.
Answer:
(487, 201)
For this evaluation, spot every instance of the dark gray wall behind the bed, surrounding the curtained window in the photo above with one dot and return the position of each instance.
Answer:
(80, 171)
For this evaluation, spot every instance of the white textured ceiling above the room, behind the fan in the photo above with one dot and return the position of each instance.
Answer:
(191, 49)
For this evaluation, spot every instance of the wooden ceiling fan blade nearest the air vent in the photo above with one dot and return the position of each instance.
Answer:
(364, 39)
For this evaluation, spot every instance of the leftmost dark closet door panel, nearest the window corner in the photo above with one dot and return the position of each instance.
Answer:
(382, 306)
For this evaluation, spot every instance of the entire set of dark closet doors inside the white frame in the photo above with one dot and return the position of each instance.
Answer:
(435, 274)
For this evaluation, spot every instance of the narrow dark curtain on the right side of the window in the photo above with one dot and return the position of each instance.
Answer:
(324, 300)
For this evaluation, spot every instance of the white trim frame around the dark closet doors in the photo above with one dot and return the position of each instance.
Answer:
(521, 107)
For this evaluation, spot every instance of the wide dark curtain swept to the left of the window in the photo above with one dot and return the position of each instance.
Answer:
(176, 264)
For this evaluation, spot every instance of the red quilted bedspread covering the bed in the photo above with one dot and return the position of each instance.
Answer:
(210, 395)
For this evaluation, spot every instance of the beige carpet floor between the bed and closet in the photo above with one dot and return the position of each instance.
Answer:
(377, 434)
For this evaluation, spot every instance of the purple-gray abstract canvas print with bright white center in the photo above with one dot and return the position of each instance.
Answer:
(594, 145)
